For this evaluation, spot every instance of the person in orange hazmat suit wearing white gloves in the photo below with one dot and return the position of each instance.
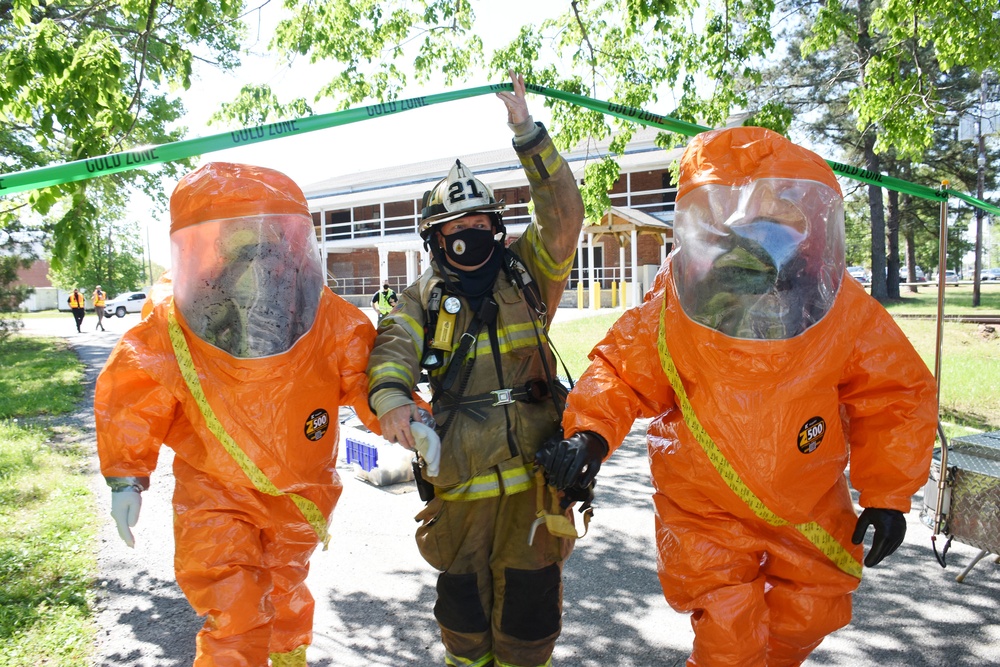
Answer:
(241, 369)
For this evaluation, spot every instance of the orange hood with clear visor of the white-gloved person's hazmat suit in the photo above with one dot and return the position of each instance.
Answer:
(246, 269)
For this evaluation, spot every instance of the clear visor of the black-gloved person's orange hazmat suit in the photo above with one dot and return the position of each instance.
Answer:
(763, 260)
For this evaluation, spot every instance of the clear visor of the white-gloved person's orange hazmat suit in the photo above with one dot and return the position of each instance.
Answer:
(249, 286)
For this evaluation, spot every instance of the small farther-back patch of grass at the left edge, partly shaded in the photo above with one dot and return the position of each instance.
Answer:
(38, 376)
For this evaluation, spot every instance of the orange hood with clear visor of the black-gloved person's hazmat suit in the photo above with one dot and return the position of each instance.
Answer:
(760, 234)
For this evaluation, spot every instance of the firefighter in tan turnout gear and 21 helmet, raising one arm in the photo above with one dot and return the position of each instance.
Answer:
(477, 321)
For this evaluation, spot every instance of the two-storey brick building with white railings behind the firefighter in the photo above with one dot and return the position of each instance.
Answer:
(367, 222)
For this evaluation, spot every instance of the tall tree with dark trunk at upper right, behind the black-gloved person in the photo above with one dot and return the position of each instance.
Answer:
(884, 97)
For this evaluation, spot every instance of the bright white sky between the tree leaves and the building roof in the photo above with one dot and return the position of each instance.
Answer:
(439, 131)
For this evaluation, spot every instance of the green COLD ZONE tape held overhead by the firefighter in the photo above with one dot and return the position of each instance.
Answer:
(80, 170)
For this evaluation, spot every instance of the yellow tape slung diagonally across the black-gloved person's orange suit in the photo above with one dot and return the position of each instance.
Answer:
(812, 531)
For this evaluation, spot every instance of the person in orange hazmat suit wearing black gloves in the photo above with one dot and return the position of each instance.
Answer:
(766, 369)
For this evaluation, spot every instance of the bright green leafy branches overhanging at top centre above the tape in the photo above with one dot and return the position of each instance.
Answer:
(631, 52)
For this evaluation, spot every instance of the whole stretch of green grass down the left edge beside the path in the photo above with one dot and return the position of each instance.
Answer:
(47, 518)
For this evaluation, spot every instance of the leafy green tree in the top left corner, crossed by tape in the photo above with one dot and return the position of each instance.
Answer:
(88, 78)
